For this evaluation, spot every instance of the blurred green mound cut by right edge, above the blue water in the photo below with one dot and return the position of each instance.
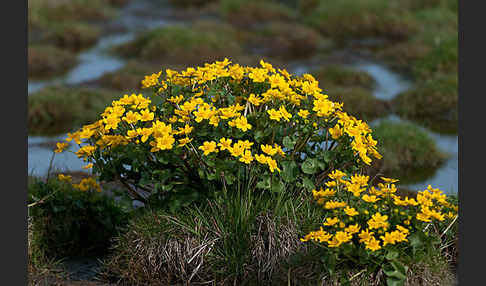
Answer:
(433, 103)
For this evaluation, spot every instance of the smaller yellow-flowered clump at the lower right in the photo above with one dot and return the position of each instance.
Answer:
(375, 226)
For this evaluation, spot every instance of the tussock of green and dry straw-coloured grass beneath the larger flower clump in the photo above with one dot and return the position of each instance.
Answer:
(241, 239)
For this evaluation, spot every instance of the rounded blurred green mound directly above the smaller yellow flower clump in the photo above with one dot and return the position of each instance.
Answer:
(407, 151)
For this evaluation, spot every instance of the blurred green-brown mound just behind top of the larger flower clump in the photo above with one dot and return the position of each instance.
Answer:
(180, 44)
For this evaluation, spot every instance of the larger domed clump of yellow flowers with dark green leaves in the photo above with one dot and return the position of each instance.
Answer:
(223, 125)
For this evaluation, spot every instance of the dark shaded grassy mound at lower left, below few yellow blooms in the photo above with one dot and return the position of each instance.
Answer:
(68, 222)
